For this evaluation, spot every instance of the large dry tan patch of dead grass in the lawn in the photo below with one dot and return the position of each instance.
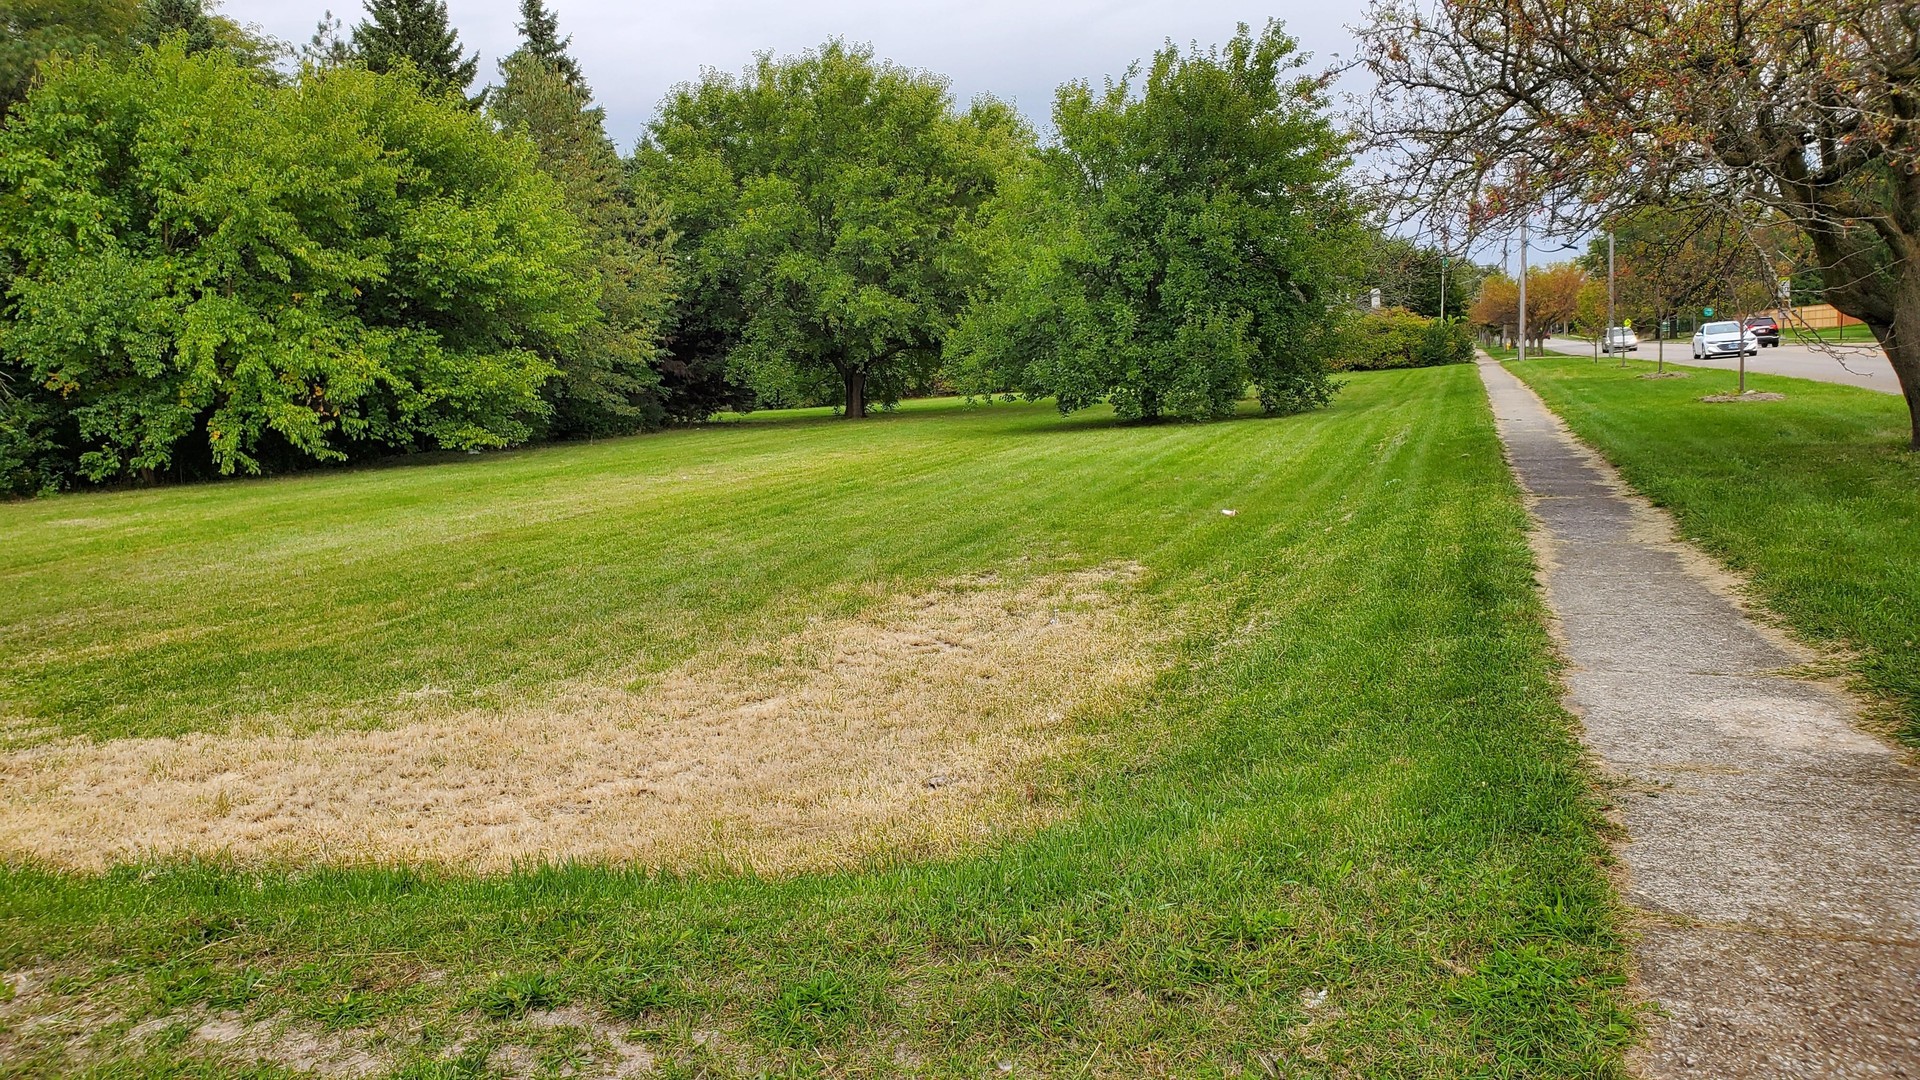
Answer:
(905, 729)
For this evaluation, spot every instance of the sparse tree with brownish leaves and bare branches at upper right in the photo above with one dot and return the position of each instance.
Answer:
(1589, 109)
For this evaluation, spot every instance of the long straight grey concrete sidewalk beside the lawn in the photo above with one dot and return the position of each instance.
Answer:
(1771, 848)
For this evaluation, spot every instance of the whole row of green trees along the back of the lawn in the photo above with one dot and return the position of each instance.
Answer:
(212, 264)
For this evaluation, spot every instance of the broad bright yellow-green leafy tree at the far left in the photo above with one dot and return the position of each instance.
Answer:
(220, 274)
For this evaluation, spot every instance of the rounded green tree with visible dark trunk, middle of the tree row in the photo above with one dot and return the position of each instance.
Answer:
(823, 205)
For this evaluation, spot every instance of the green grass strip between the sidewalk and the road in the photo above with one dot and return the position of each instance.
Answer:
(1815, 499)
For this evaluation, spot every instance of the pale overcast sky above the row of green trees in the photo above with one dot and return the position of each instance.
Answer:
(1013, 49)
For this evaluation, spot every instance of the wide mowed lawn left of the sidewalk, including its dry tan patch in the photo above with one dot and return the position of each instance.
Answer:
(1284, 793)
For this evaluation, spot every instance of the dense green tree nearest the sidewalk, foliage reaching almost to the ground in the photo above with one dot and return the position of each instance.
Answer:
(1182, 241)
